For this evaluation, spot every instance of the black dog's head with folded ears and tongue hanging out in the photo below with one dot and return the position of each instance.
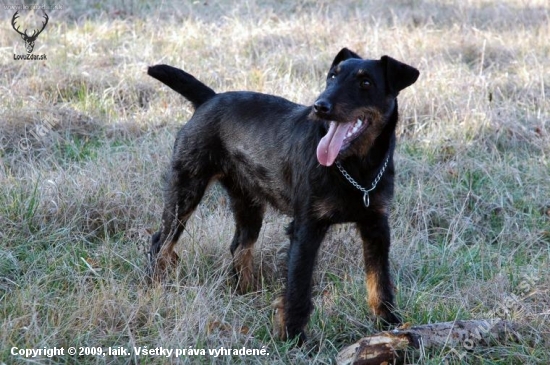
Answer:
(359, 98)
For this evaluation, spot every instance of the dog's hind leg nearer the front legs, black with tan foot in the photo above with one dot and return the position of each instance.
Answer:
(248, 214)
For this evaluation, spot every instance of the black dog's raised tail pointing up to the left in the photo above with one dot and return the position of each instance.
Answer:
(182, 82)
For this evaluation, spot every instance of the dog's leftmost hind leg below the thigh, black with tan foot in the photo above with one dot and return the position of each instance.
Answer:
(184, 191)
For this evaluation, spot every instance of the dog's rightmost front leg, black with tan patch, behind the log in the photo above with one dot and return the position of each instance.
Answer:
(376, 248)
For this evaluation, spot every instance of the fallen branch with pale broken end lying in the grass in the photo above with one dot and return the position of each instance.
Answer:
(389, 347)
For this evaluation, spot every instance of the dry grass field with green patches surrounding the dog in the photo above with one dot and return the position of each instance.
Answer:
(85, 136)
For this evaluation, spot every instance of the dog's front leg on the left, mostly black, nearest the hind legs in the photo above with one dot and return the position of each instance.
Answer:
(294, 308)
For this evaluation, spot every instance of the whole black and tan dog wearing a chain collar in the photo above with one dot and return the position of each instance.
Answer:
(323, 164)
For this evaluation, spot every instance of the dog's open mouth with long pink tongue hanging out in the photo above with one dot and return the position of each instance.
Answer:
(338, 138)
